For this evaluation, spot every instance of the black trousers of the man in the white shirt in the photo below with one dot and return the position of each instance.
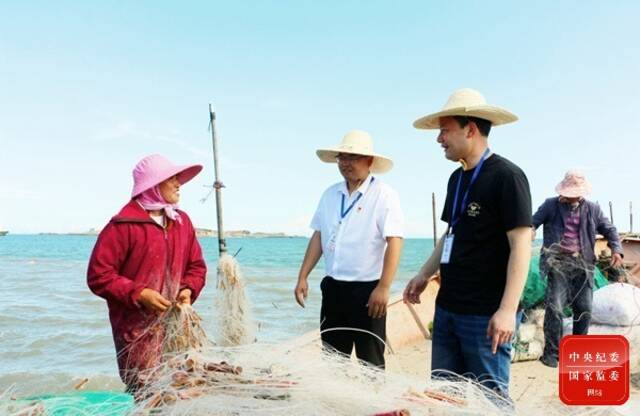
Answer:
(344, 305)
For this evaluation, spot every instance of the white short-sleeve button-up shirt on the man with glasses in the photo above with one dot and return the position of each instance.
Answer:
(353, 247)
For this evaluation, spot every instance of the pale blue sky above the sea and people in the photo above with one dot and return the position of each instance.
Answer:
(89, 89)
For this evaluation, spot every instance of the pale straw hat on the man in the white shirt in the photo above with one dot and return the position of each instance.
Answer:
(357, 142)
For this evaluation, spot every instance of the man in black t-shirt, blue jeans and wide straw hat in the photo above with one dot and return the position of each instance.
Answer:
(484, 256)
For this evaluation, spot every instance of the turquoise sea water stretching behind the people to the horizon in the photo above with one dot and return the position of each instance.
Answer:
(54, 332)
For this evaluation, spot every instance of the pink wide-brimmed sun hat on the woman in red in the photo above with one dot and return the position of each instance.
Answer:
(155, 169)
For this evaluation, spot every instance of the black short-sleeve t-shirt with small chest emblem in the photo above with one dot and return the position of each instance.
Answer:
(473, 281)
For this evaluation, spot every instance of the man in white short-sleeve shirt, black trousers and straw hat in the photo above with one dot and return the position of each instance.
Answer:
(358, 226)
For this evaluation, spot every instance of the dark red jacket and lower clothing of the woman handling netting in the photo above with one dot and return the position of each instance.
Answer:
(132, 253)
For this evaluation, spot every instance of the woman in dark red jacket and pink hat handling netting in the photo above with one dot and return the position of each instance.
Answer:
(146, 258)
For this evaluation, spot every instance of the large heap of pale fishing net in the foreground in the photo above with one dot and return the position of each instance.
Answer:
(292, 378)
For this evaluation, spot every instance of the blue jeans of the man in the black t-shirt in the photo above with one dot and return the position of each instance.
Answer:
(460, 345)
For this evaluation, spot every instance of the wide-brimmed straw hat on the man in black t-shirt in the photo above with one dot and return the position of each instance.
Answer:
(470, 103)
